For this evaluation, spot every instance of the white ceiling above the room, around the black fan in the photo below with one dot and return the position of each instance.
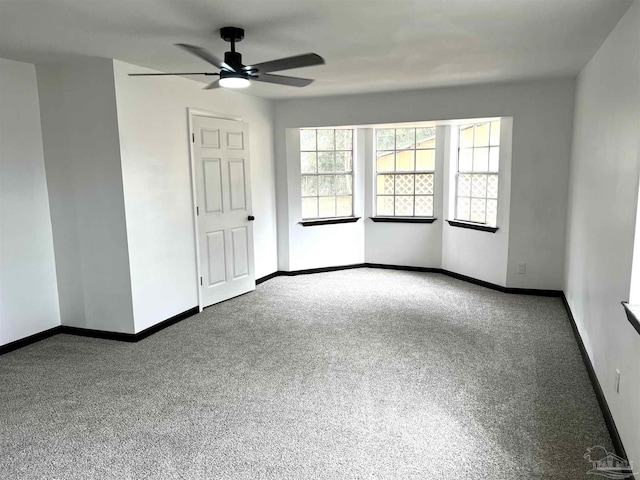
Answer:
(369, 45)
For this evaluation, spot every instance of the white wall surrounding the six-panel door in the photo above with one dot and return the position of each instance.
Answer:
(154, 143)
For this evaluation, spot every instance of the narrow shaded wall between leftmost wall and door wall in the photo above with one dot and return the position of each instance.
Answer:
(84, 178)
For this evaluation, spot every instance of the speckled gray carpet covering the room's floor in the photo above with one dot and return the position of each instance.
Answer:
(353, 374)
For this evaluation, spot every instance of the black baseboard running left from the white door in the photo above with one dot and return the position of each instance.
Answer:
(88, 332)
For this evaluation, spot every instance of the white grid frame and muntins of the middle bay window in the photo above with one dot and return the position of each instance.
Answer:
(395, 172)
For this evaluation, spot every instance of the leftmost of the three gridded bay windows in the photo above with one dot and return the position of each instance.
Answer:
(326, 160)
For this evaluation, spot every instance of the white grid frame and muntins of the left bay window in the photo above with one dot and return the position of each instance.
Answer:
(306, 221)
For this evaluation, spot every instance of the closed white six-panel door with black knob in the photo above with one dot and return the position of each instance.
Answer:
(223, 208)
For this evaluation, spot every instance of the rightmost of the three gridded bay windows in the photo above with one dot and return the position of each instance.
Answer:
(477, 174)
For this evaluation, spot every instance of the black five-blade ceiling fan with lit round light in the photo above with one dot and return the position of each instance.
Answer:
(234, 74)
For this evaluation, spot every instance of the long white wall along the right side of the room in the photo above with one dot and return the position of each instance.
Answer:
(605, 167)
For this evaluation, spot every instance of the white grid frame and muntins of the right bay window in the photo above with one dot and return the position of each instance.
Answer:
(473, 224)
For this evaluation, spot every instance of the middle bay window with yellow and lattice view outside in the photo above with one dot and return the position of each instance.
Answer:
(405, 166)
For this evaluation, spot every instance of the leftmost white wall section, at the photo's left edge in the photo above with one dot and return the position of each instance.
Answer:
(28, 286)
